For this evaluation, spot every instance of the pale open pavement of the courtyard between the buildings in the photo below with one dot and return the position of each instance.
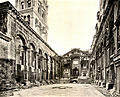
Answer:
(60, 90)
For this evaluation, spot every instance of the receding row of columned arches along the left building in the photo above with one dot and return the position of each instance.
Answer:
(32, 63)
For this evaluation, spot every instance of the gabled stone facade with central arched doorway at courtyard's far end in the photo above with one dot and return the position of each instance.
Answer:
(75, 64)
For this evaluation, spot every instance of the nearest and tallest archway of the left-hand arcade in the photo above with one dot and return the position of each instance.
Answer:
(20, 58)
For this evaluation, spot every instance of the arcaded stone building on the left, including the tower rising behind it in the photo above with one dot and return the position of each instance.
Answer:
(25, 55)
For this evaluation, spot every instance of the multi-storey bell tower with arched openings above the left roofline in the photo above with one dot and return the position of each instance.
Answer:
(35, 14)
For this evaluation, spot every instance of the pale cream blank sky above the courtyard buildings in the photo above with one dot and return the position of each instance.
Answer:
(71, 24)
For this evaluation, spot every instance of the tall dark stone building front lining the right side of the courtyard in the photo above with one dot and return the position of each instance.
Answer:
(104, 60)
